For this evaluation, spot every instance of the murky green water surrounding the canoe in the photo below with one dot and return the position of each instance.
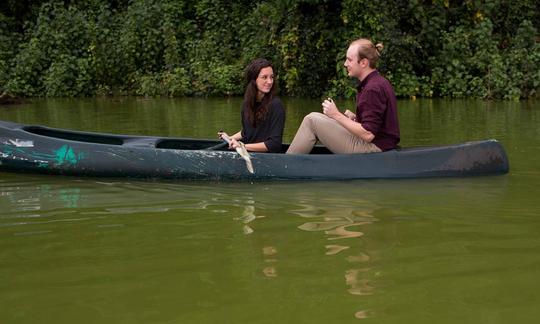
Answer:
(76, 250)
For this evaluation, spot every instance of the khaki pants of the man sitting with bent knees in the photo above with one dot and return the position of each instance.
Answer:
(330, 133)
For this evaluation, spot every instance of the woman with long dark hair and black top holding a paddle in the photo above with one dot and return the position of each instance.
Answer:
(263, 115)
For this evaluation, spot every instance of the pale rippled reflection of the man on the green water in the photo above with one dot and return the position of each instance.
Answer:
(345, 224)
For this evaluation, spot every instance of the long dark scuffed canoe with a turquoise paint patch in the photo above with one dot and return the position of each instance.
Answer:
(56, 151)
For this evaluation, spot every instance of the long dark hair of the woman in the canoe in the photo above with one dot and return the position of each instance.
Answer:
(255, 116)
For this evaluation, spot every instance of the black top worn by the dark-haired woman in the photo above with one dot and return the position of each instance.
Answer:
(269, 131)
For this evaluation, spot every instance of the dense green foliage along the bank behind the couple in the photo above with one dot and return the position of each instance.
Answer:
(468, 48)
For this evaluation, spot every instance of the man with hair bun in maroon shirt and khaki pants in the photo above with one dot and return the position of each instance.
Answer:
(373, 128)
